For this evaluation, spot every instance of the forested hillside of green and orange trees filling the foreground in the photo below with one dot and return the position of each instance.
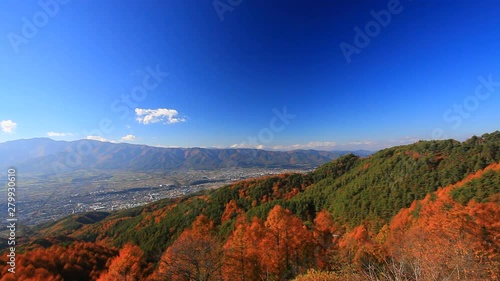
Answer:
(425, 211)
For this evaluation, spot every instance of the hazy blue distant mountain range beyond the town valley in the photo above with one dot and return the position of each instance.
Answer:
(44, 155)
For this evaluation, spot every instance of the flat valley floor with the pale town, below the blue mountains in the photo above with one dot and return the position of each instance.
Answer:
(51, 197)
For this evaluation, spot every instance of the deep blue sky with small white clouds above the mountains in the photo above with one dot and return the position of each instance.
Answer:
(260, 73)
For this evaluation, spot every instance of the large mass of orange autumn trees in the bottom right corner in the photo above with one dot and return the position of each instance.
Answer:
(438, 238)
